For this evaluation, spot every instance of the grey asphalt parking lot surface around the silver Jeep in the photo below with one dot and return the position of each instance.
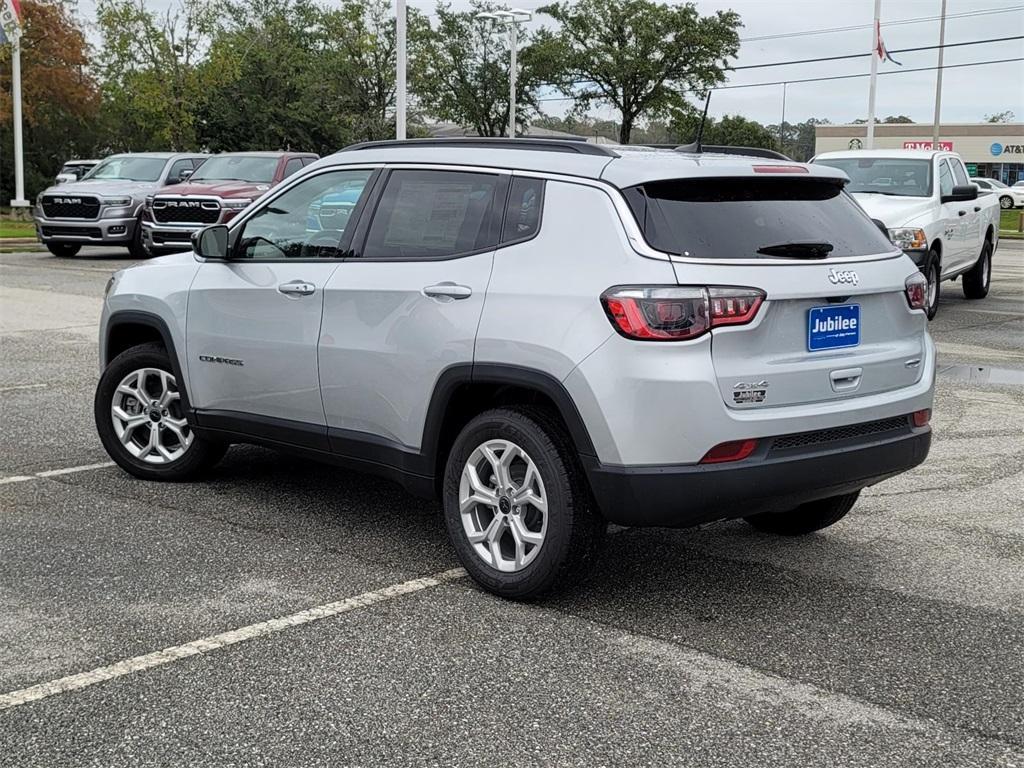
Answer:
(895, 638)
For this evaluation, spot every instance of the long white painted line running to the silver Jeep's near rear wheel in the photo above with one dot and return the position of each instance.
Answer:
(215, 643)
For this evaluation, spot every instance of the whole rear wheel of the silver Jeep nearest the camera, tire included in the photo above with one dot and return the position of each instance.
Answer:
(570, 534)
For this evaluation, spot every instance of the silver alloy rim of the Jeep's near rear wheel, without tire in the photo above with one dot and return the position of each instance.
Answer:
(503, 505)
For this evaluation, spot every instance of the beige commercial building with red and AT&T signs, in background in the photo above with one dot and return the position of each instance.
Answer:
(991, 150)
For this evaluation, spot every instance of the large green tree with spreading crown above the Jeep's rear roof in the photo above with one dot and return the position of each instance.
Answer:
(638, 57)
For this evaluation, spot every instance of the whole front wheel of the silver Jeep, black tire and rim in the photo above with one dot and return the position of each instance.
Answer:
(170, 458)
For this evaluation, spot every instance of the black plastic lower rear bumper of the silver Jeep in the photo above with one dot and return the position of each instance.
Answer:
(773, 480)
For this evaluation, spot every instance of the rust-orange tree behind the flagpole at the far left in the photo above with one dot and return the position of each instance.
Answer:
(61, 99)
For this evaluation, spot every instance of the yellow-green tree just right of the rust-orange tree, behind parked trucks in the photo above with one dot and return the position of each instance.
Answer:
(150, 72)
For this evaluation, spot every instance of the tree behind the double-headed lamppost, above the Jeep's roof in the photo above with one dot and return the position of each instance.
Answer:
(463, 72)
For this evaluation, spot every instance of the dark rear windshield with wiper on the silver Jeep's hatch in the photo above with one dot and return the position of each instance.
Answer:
(734, 219)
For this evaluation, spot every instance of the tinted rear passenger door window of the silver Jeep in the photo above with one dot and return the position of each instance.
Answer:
(424, 215)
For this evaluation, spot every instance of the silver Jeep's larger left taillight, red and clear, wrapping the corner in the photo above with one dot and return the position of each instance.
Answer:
(678, 314)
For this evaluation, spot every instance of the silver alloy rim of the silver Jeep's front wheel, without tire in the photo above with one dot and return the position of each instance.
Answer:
(148, 419)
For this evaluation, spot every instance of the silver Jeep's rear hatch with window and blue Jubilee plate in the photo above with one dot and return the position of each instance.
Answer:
(835, 323)
